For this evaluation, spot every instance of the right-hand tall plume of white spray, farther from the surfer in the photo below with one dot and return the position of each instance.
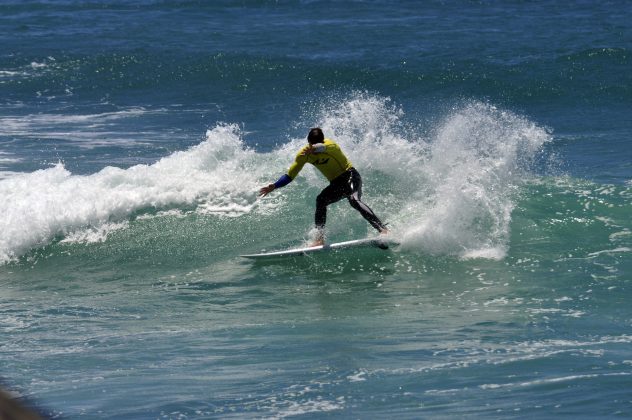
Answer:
(478, 159)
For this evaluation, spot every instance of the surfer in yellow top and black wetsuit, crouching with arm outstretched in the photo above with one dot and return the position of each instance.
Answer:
(344, 181)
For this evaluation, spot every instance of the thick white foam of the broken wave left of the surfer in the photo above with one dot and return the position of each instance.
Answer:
(219, 173)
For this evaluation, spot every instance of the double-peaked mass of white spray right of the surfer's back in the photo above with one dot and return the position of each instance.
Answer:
(451, 193)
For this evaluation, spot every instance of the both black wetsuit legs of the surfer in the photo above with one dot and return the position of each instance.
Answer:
(347, 185)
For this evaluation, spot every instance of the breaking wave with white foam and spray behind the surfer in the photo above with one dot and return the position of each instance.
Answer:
(453, 188)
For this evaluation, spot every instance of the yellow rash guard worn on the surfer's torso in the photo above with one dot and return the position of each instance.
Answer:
(328, 159)
